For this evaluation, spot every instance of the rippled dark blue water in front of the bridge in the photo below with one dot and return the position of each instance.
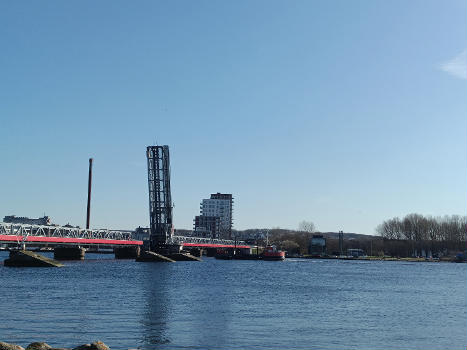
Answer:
(218, 304)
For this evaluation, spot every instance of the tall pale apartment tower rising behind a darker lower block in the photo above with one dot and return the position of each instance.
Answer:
(220, 205)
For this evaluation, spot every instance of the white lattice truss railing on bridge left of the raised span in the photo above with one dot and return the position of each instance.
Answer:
(62, 231)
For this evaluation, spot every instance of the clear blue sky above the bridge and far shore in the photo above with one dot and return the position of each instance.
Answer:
(344, 113)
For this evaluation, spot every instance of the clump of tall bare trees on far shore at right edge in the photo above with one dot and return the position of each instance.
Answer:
(416, 234)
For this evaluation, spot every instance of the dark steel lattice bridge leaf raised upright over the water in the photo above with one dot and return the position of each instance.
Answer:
(160, 201)
